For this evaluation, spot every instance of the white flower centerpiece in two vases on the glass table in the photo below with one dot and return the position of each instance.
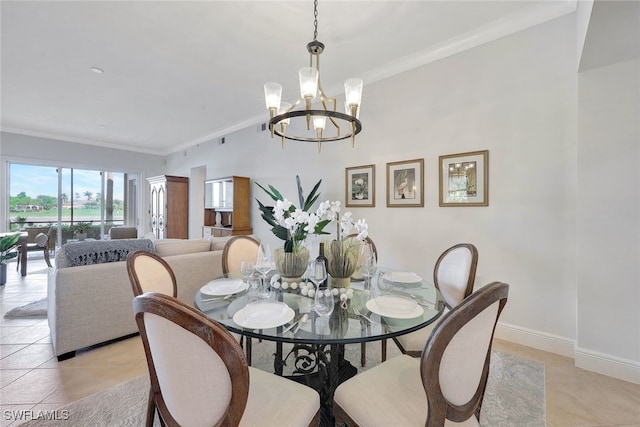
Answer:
(293, 225)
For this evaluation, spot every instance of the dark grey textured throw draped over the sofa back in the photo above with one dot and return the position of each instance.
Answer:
(100, 251)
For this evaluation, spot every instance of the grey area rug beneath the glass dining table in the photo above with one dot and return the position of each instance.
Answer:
(514, 397)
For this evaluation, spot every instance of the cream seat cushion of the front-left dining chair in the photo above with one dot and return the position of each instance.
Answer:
(277, 401)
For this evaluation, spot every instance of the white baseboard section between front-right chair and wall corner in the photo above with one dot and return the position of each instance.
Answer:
(546, 342)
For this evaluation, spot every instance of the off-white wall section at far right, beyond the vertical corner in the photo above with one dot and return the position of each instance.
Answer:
(608, 226)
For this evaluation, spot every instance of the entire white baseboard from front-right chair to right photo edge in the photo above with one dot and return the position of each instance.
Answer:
(605, 364)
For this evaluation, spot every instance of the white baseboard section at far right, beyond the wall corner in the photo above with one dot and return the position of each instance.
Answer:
(616, 367)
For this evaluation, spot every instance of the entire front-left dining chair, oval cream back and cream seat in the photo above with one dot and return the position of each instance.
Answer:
(199, 376)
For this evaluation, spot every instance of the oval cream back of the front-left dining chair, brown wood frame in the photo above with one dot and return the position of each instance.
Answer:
(199, 376)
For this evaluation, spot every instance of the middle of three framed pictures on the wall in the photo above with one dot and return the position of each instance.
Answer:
(405, 184)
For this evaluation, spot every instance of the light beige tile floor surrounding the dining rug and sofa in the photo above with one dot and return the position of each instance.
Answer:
(32, 379)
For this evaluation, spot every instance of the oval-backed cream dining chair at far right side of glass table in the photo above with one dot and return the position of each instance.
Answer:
(454, 275)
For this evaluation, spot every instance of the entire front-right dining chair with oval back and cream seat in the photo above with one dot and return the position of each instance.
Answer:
(445, 387)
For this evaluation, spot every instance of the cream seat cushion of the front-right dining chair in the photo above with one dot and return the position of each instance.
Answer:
(390, 394)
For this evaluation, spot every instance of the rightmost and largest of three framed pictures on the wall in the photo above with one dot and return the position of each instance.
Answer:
(464, 179)
